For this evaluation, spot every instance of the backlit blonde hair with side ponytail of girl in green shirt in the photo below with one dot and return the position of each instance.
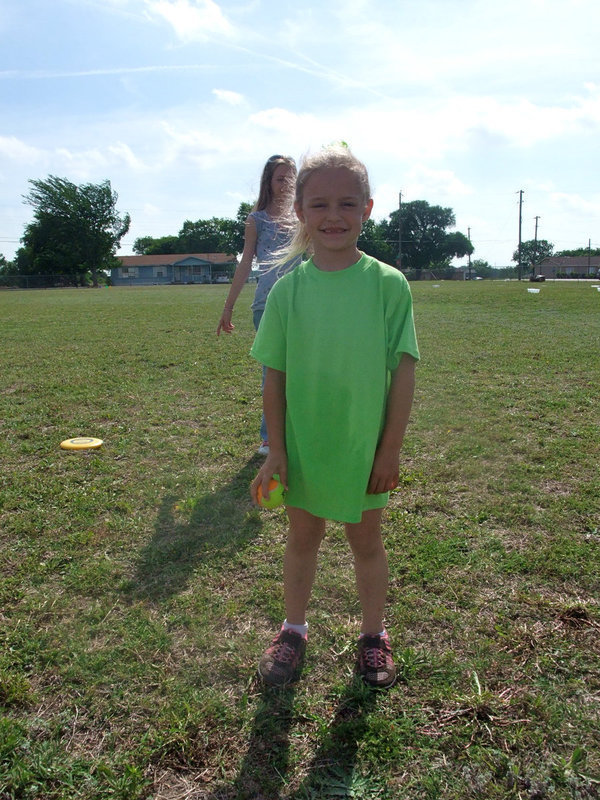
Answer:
(331, 157)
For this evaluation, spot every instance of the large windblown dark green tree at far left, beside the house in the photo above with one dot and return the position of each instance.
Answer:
(76, 230)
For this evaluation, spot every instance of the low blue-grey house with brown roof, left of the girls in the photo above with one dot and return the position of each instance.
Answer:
(178, 268)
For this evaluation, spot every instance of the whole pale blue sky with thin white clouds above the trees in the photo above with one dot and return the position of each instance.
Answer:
(179, 103)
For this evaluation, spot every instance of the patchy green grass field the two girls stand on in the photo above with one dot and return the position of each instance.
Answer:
(139, 586)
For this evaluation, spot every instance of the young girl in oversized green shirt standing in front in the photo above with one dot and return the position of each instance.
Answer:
(338, 341)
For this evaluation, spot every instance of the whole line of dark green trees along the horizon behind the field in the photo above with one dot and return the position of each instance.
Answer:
(76, 232)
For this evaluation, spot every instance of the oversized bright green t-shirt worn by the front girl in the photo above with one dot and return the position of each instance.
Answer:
(337, 336)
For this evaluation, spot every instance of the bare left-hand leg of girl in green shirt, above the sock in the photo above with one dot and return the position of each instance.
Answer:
(300, 562)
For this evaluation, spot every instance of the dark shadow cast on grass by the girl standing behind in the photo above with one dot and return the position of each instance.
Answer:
(221, 523)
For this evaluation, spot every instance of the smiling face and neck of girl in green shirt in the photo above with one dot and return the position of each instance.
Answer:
(332, 209)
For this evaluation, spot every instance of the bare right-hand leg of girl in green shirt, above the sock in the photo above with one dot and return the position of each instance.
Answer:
(370, 567)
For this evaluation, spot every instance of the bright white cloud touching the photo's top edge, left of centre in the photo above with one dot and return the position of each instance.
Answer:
(192, 20)
